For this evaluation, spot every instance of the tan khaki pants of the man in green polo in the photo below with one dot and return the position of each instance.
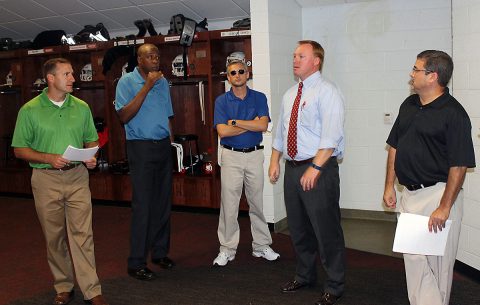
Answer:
(64, 208)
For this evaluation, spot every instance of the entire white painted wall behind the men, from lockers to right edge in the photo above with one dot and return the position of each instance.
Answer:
(370, 49)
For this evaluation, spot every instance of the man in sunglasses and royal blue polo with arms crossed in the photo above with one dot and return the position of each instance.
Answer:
(241, 115)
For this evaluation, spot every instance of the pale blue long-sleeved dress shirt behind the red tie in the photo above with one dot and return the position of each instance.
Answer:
(321, 117)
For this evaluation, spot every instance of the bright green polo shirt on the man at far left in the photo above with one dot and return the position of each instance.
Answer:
(45, 127)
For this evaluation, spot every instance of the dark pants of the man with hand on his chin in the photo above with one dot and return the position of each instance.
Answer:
(150, 165)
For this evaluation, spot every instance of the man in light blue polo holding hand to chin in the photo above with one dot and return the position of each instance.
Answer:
(144, 105)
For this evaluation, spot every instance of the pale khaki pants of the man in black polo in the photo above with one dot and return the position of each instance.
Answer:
(429, 278)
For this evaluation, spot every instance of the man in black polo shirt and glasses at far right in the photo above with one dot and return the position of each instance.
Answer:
(430, 150)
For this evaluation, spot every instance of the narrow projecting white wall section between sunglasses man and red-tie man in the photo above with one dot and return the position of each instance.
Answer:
(276, 27)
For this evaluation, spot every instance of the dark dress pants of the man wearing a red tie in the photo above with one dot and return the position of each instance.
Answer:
(314, 224)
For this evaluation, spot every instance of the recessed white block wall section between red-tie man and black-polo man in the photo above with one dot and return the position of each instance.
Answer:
(370, 48)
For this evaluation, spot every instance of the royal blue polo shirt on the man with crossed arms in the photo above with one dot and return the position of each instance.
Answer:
(230, 107)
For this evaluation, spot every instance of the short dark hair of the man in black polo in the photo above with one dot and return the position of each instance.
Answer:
(438, 62)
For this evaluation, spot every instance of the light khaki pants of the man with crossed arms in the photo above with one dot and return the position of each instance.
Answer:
(239, 169)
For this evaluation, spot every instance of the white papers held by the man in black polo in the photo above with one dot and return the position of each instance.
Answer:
(412, 236)
